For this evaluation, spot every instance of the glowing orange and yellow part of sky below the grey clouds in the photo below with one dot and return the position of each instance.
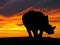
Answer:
(13, 26)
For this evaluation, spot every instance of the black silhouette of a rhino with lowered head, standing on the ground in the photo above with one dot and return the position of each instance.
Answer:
(37, 21)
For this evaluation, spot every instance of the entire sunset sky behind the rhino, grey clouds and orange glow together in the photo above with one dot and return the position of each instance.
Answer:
(11, 12)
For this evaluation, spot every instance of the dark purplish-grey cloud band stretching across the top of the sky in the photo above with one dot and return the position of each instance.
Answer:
(15, 6)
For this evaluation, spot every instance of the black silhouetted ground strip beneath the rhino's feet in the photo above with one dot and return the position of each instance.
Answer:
(29, 41)
